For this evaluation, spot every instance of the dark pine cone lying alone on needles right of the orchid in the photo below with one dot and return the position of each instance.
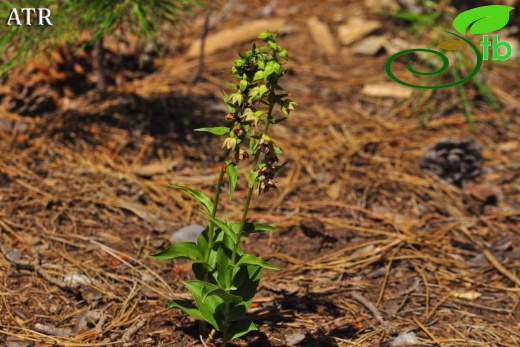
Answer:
(455, 161)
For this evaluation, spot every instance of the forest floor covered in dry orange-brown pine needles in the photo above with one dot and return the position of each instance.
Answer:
(373, 247)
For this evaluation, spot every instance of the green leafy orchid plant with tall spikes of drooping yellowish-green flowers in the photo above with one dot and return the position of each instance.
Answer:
(226, 277)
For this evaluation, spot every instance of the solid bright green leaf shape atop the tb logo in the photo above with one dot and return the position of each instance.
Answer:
(482, 20)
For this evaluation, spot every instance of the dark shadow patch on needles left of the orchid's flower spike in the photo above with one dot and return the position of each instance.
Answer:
(166, 117)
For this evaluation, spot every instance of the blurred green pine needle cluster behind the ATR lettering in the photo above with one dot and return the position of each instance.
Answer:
(147, 20)
